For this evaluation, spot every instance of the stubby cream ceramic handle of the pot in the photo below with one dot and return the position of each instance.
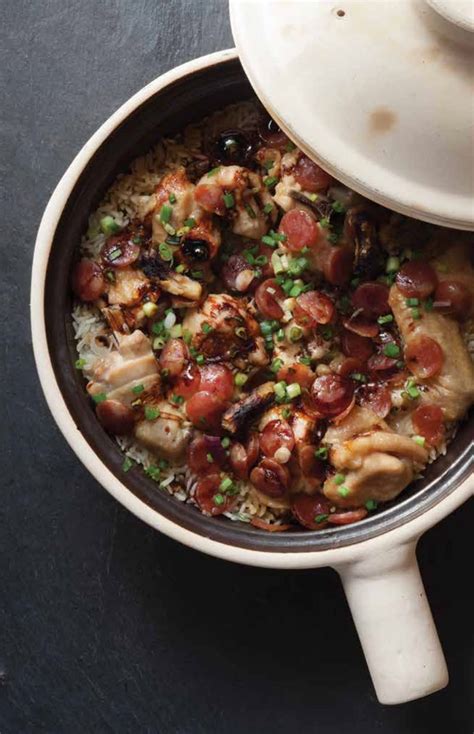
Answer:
(395, 625)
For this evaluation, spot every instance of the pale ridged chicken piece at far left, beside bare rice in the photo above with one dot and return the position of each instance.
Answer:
(133, 364)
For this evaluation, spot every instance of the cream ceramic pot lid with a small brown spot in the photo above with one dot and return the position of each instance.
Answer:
(381, 94)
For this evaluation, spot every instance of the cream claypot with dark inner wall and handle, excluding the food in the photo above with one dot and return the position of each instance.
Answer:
(376, 557)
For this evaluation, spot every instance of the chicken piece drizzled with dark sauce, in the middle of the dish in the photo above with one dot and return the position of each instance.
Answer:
(234, 332)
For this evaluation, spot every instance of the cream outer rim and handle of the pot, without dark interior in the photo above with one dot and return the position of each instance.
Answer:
(381, 580)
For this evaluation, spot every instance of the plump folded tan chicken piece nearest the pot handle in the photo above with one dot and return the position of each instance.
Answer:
(375, 462)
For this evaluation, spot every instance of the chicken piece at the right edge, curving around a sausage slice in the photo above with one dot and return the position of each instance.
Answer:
(453, 387)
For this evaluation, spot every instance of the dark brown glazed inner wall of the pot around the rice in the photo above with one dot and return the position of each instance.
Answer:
(166, 113)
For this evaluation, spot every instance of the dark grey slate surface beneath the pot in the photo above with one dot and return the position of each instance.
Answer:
(106, 626)
